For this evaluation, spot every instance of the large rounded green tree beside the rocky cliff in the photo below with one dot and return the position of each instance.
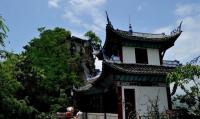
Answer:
(46, 70)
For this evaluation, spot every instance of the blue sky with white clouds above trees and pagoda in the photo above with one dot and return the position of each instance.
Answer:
(23, 17)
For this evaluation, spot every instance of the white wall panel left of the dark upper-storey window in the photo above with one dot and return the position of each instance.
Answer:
(128, 54)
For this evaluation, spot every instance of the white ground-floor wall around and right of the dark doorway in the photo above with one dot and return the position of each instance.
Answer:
(145, 93)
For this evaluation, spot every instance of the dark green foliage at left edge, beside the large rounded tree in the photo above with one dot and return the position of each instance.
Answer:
(10, 105)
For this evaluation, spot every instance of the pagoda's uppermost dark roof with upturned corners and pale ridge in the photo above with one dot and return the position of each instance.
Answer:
(139, 39)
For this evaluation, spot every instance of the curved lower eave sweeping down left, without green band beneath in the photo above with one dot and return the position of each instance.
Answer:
(137, 69)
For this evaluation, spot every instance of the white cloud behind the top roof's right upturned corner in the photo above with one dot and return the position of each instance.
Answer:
(187, 45)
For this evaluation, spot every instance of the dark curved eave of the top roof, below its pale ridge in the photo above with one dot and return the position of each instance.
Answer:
(166, 41)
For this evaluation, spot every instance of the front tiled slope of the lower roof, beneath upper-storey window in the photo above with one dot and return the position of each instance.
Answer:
(139, 68)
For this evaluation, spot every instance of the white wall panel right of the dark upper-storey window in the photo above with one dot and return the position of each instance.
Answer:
(153, 56)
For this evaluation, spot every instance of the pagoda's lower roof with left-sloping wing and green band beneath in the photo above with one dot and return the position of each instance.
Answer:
(129, 72)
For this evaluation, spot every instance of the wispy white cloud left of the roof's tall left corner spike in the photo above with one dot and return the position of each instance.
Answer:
(77, 10)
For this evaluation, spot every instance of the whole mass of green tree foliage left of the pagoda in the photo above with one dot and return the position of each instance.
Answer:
(38, 82)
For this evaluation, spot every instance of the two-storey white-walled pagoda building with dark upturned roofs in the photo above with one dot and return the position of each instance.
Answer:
(133, 76)
